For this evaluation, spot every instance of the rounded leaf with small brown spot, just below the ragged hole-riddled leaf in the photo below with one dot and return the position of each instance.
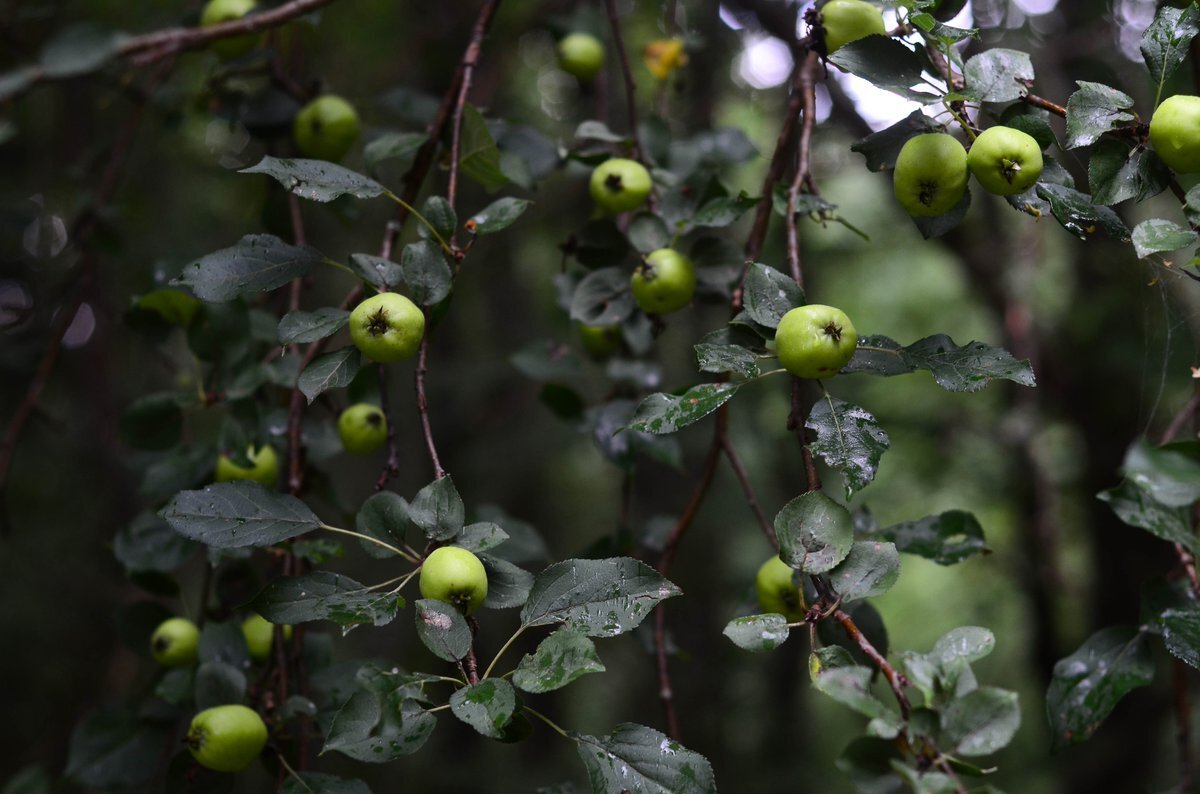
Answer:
(815, 533)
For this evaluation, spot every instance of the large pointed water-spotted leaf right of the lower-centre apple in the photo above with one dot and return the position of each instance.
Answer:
(599, 598)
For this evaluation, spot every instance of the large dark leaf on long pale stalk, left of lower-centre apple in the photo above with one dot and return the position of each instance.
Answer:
(232, 515)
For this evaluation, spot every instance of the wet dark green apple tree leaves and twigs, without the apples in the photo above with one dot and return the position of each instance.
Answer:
(268, 358)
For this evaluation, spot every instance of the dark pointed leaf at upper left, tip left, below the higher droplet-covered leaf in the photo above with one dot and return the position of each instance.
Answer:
(257, 264)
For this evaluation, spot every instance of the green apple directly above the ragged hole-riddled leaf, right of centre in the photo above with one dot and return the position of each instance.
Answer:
(815, 341)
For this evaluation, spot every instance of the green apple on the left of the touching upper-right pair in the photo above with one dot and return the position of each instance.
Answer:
(932, 175)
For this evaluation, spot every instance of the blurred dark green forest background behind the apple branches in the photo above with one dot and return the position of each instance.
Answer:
(1112, 340)
